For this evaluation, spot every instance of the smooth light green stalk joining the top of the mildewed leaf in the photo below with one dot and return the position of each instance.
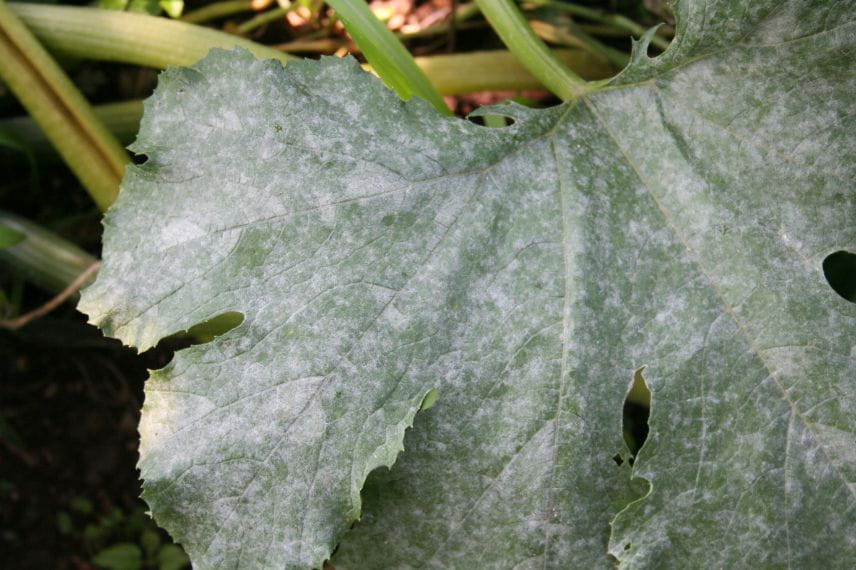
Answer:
(515, 32)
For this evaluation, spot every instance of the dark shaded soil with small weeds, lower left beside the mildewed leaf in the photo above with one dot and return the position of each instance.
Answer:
(69, 407)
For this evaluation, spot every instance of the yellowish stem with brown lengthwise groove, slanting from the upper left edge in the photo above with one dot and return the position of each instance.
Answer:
(92, 153)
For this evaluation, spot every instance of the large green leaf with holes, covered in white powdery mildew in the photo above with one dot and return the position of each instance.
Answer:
(516, 278)
